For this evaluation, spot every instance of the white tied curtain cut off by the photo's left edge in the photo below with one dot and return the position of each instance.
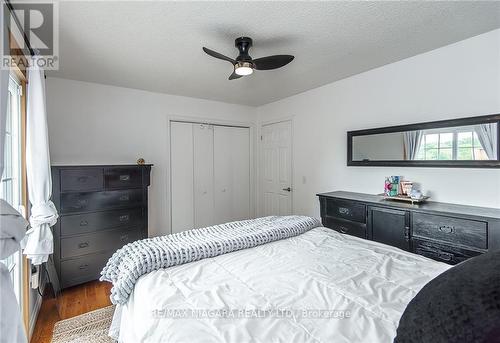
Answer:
(12, 230)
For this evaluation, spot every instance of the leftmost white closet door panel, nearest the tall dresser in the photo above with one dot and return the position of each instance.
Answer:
(181, 167)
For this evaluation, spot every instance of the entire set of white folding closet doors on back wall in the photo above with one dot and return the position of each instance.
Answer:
(210, 175)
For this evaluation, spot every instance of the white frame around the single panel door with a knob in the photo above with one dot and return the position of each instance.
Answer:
(260, 200)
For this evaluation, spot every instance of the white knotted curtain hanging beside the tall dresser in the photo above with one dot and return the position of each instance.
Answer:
(38, 243)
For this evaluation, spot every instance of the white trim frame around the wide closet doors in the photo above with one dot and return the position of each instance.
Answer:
(217, 122)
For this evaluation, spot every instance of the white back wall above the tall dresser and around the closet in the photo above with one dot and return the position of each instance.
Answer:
(97, 124)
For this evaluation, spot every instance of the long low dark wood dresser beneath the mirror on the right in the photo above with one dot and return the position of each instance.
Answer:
(444, 232)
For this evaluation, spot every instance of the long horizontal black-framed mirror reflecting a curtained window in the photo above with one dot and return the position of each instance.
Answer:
(457, 143)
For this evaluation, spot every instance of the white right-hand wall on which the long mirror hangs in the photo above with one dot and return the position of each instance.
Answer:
(458, 80)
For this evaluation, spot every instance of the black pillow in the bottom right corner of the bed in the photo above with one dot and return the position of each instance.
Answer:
(460, 305)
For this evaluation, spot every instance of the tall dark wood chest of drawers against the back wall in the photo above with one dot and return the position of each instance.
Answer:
(101, 208)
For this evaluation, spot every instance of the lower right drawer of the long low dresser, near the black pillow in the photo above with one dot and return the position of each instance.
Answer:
(442, 252)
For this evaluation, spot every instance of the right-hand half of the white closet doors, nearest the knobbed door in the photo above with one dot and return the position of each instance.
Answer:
(231, 173)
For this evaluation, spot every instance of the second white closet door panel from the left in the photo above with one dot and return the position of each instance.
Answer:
(203, 143)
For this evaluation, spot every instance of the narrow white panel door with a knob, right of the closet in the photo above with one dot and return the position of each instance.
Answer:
(276, 168)
